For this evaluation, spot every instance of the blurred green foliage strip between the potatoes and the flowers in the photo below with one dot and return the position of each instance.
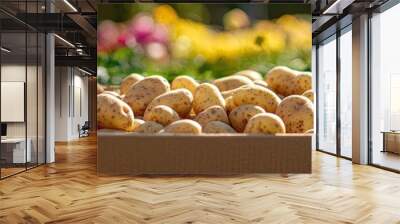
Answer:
(125, 61)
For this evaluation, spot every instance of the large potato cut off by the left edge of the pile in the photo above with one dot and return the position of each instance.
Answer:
(114, 113)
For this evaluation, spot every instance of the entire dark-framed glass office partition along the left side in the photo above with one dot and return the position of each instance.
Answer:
(22, 91)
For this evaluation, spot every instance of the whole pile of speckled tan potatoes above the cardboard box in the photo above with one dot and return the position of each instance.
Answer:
(241, 103)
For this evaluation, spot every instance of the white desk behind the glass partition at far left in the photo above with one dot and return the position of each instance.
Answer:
(16, 148)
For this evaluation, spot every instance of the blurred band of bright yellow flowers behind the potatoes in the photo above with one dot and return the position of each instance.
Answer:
(194, 39)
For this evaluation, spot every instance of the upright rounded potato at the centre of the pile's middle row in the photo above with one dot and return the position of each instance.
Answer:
(205, 96)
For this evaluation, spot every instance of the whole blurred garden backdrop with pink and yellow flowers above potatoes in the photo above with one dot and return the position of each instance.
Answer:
(205, 41)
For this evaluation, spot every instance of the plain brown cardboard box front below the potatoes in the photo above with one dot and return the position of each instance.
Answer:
(135, 154)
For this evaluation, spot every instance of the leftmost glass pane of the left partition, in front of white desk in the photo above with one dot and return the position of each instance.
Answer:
(15, 152)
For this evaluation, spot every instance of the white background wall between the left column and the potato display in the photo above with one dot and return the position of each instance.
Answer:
(70, 83)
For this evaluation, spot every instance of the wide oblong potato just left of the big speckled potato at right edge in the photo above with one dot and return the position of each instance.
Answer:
(256, 95)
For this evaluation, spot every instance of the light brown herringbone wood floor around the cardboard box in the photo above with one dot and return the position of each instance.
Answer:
(69, 191)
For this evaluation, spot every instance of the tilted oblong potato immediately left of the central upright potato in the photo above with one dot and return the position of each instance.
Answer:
(180, 100)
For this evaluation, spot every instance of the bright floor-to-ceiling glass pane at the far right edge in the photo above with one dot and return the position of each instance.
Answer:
(385, 89)
